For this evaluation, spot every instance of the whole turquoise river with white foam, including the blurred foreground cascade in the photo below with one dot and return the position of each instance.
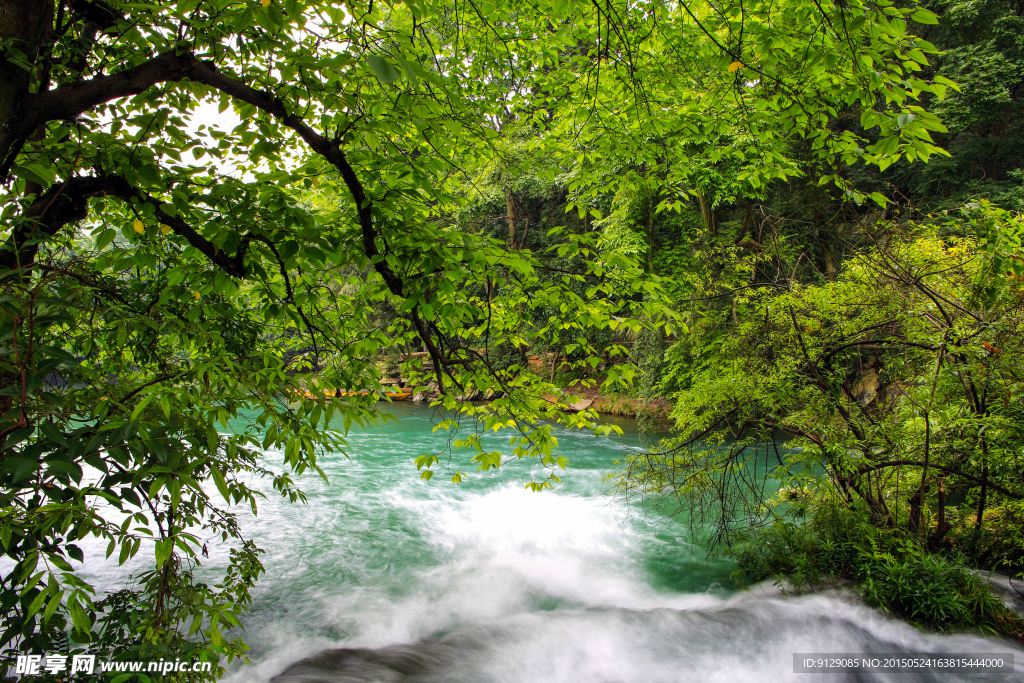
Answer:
(385, 577)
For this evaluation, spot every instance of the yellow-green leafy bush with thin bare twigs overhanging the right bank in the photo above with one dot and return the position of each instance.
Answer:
(895, 387)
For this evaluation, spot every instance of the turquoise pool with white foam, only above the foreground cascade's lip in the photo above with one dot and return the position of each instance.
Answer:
(379, 557)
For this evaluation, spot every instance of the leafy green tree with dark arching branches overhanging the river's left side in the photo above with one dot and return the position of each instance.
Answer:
(164, 283)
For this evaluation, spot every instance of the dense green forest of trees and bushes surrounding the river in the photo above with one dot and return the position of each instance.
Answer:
(796, 224)
